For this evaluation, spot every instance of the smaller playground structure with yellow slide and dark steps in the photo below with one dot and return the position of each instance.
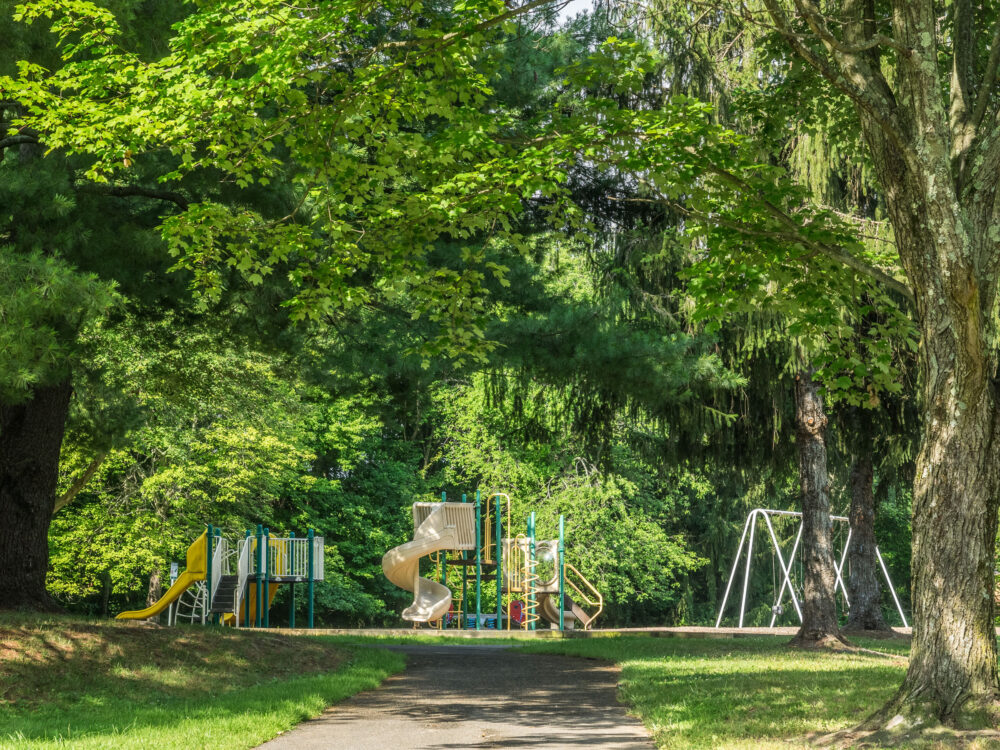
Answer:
(239, 585)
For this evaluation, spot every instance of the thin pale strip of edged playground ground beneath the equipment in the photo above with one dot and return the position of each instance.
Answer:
(451, 633)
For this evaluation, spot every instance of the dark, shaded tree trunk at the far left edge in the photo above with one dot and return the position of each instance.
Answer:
(31, 436)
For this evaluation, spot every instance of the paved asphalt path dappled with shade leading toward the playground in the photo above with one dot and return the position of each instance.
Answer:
(454, 697)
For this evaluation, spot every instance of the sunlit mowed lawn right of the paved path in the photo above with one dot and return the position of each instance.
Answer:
(744, 692)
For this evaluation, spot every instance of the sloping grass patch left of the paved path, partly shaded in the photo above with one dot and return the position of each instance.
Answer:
(67, 683)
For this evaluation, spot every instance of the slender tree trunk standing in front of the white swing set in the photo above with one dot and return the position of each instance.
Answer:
(819, 606)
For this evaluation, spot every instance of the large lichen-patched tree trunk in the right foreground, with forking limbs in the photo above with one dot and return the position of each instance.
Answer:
(937, 162)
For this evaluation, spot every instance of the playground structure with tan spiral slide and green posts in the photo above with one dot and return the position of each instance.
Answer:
(532, 573)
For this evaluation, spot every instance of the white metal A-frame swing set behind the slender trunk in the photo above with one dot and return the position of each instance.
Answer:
(787, 570)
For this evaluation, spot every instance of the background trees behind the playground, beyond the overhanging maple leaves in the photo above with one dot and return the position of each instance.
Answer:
(600, 398)
